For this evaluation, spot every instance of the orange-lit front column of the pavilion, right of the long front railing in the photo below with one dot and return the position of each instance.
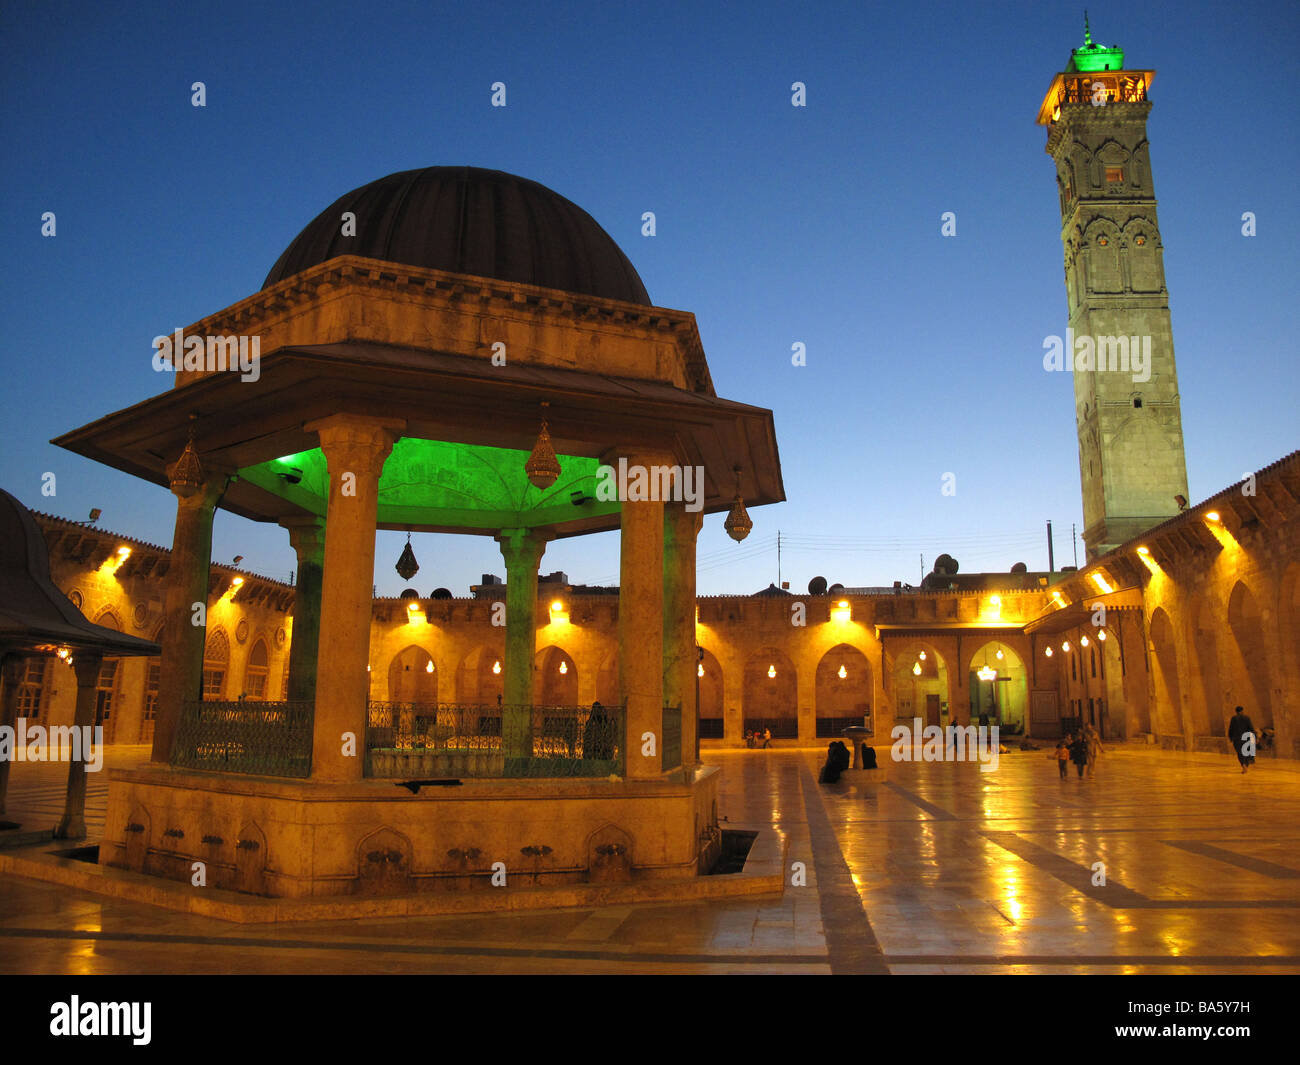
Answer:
(642, 621)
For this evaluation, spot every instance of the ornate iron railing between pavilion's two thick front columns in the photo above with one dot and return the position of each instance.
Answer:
(414, 741)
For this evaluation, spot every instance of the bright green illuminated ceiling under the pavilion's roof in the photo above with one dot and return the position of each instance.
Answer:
(447, 486)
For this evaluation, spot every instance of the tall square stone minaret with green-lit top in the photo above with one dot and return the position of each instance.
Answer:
(1130, 430)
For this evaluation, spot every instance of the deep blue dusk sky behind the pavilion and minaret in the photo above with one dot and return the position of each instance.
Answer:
(775, 226)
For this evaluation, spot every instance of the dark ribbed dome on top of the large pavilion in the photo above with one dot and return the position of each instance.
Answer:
(469, 220)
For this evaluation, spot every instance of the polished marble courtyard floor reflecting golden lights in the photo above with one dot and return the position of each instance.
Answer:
(944, 871)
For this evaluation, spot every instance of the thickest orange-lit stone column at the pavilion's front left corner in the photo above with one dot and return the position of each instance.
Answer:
(356, 449)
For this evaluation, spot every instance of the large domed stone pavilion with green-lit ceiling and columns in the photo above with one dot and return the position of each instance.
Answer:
(441, 350)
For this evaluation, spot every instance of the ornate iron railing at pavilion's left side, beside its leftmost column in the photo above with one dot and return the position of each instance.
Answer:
(265, 739)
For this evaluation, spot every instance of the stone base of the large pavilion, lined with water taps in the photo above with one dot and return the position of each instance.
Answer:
(302, 839)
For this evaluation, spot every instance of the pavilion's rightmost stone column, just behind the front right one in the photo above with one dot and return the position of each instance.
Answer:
(681, 656)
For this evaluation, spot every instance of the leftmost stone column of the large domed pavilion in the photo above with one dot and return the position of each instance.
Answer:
(181, 674)
